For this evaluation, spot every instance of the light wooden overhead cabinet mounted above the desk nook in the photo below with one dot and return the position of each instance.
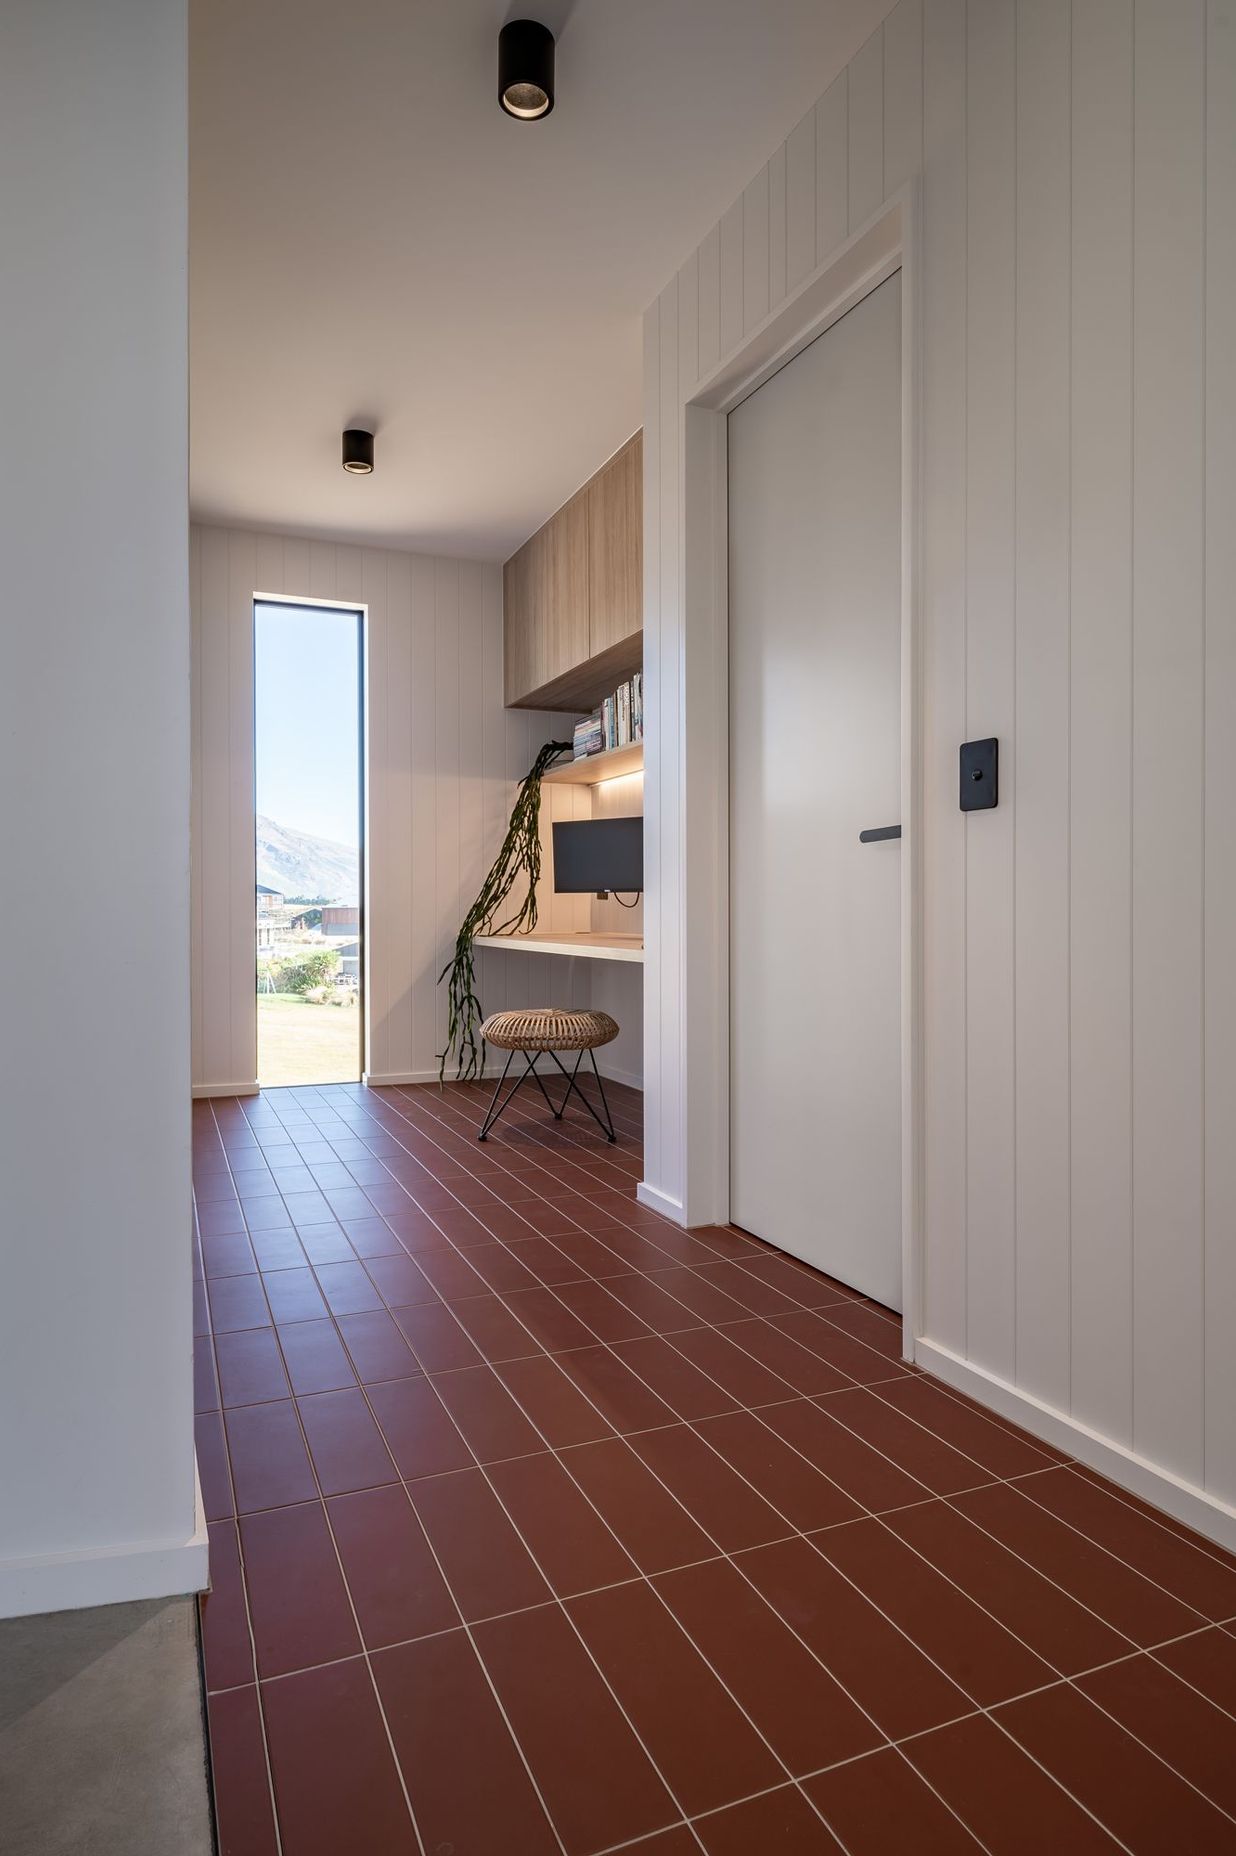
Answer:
(574, 595)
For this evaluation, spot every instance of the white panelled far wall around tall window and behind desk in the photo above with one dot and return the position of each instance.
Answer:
(444, 766)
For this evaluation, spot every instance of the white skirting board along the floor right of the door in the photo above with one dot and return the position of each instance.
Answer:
(1159, 1488)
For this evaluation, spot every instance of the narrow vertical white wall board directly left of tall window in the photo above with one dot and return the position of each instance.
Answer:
(242, 925)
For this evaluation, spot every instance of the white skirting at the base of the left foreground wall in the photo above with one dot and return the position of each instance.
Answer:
(110, 1575)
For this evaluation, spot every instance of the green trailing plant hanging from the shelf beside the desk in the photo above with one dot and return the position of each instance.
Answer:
(521, 853)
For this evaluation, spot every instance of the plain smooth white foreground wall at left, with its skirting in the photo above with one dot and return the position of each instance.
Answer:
(97, 1486)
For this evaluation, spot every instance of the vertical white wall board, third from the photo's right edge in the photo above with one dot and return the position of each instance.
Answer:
(1101, 715)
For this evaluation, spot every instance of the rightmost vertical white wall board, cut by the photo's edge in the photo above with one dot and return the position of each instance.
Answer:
(1220, 727)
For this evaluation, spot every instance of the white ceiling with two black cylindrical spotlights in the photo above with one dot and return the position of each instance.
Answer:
(374, 242)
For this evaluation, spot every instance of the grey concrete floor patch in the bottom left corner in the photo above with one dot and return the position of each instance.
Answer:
(103, 1747)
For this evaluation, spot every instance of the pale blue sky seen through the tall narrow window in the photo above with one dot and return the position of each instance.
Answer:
(307, 719)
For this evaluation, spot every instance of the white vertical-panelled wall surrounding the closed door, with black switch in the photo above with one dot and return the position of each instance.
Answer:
(1079, 558)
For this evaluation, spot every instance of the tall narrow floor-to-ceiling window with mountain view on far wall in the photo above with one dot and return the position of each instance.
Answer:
(309, 842)
